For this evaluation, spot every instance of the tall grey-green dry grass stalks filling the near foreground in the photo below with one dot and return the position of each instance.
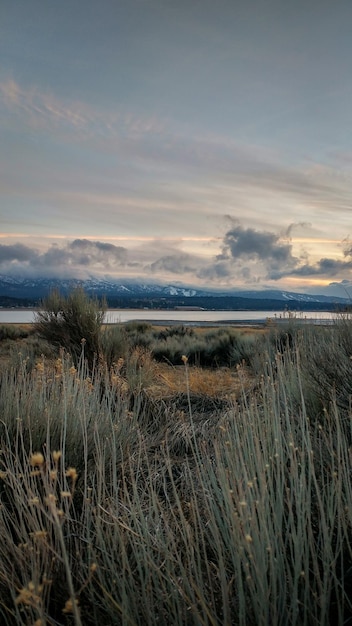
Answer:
(241, 518)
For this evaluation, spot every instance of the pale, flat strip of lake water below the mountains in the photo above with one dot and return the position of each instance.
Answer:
(113, 316)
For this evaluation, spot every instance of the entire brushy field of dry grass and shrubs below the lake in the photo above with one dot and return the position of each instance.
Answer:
(176, 477)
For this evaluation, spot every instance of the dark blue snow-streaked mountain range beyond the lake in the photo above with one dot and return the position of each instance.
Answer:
(16, 291)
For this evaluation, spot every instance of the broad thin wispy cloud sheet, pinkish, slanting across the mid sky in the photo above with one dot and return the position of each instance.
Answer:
(142, 164)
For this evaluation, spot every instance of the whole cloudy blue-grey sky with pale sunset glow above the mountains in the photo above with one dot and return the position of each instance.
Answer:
(196, 142)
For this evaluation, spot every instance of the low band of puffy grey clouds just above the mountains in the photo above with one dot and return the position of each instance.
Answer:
(246, 256)
